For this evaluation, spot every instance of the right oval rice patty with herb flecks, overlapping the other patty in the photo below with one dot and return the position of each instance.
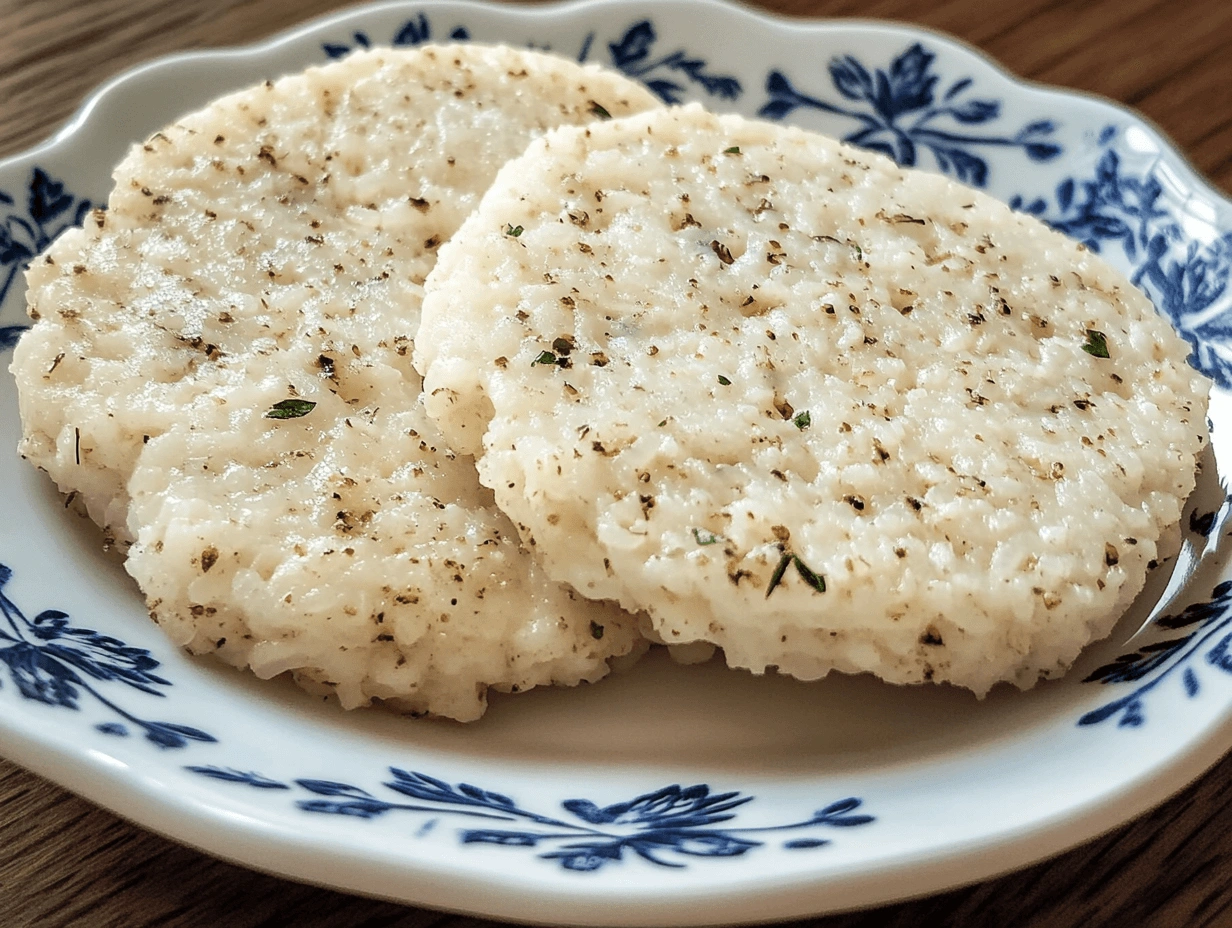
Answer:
(799, 402)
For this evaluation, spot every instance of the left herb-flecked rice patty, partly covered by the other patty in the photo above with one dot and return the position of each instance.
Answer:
(274, 247)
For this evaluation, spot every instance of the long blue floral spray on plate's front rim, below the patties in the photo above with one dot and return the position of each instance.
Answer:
(660, 828)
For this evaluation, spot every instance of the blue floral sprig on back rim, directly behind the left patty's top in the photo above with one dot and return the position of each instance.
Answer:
(633, 55)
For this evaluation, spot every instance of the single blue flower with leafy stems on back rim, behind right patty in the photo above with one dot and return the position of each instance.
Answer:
(899, 114)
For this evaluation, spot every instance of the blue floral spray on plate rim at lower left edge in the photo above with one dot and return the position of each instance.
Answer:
(54, 662)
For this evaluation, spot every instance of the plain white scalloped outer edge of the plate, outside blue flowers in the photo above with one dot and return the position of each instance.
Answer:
(155, 803)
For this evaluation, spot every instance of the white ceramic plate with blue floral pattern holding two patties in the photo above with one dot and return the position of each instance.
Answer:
(668, 796)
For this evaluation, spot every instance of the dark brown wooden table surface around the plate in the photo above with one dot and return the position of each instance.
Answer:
(67, 863)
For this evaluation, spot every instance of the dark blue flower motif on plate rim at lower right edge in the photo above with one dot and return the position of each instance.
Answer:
(1151, 665)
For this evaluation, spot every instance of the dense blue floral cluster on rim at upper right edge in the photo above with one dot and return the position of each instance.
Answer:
(1186, 280)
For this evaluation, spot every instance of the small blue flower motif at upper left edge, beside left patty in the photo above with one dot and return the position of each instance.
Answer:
(24, 234)
